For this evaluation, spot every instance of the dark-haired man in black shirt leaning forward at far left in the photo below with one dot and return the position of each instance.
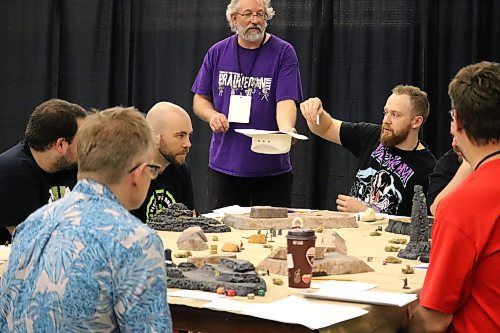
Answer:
(42, 168)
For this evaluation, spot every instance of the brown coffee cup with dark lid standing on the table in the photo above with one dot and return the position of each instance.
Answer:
(300, 257)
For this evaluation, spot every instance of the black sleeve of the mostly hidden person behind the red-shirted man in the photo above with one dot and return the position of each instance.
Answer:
(445, 169)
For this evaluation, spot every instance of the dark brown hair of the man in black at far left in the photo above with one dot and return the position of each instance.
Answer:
(51, 120)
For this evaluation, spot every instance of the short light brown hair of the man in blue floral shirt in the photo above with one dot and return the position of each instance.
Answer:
(111, 141)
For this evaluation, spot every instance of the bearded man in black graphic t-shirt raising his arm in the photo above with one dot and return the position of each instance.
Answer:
(391, 158)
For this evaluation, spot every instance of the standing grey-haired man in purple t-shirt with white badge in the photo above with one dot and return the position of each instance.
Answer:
(248, 80)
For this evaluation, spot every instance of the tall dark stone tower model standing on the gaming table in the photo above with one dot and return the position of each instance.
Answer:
(419, 245)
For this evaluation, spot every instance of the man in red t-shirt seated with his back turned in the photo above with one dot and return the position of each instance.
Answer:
(461, 292)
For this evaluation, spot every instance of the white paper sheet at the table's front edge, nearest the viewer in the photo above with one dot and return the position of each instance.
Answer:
(293, 310)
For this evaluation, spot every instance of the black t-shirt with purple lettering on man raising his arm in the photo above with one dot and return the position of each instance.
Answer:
(386, 176)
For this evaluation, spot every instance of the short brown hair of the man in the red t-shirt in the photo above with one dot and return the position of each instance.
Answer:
(475, 95)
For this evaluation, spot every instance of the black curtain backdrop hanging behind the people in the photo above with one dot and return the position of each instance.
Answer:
(102, 53)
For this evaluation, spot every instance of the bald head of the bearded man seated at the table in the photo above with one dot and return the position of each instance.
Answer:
(173, 128)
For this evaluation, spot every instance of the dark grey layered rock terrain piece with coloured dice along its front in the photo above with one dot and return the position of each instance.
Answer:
(232, 274)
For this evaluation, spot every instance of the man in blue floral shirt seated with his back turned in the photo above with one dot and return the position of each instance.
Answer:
(84, 263)
